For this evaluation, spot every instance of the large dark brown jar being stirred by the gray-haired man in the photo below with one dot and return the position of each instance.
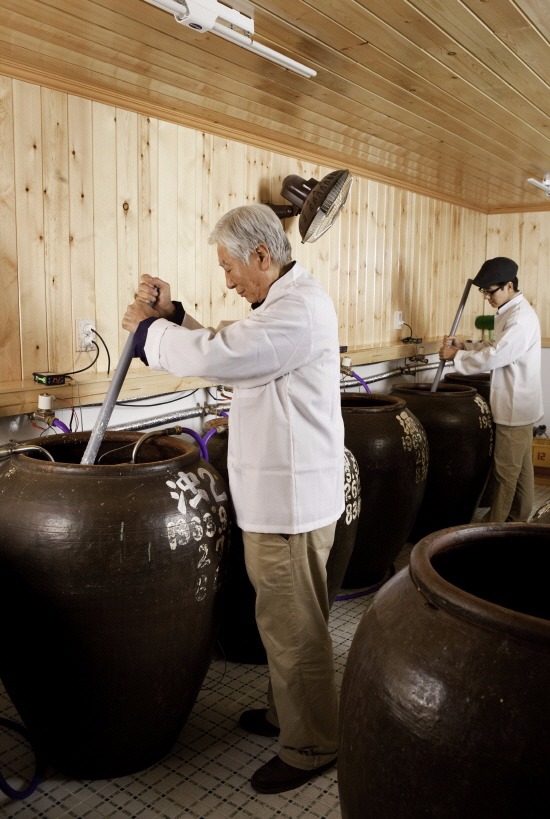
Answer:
(109, 589)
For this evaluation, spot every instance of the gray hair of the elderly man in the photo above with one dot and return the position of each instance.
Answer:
(242, 229)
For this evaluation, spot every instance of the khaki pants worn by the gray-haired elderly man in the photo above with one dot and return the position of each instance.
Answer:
(288, 573)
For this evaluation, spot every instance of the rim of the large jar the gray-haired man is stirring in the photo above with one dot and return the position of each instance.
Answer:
(187, 455)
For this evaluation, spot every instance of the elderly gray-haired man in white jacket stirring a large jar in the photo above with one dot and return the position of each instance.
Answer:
(285, 466)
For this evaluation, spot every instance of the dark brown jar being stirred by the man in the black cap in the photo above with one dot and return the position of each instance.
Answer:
(459, 427)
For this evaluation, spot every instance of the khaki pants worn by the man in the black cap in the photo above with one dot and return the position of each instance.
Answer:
(514, 487)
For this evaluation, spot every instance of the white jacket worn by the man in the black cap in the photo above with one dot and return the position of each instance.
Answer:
(514, 360)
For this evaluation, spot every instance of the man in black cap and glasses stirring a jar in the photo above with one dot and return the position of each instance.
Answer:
(513, 358)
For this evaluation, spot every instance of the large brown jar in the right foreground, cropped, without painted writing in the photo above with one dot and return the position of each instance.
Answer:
(444, 702)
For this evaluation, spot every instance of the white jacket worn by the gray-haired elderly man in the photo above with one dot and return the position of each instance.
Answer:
(286, 433)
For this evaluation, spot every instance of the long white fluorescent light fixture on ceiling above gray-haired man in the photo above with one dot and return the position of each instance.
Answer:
(230, 24)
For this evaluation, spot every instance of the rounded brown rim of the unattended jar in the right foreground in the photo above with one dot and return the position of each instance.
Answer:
(459, 603)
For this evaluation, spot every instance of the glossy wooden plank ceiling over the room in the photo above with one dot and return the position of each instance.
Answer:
(450, 98)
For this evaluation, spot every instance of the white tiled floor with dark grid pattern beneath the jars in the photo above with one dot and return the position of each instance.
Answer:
(207, 774)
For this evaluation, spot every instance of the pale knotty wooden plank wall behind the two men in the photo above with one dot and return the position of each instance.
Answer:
(92, 196)
